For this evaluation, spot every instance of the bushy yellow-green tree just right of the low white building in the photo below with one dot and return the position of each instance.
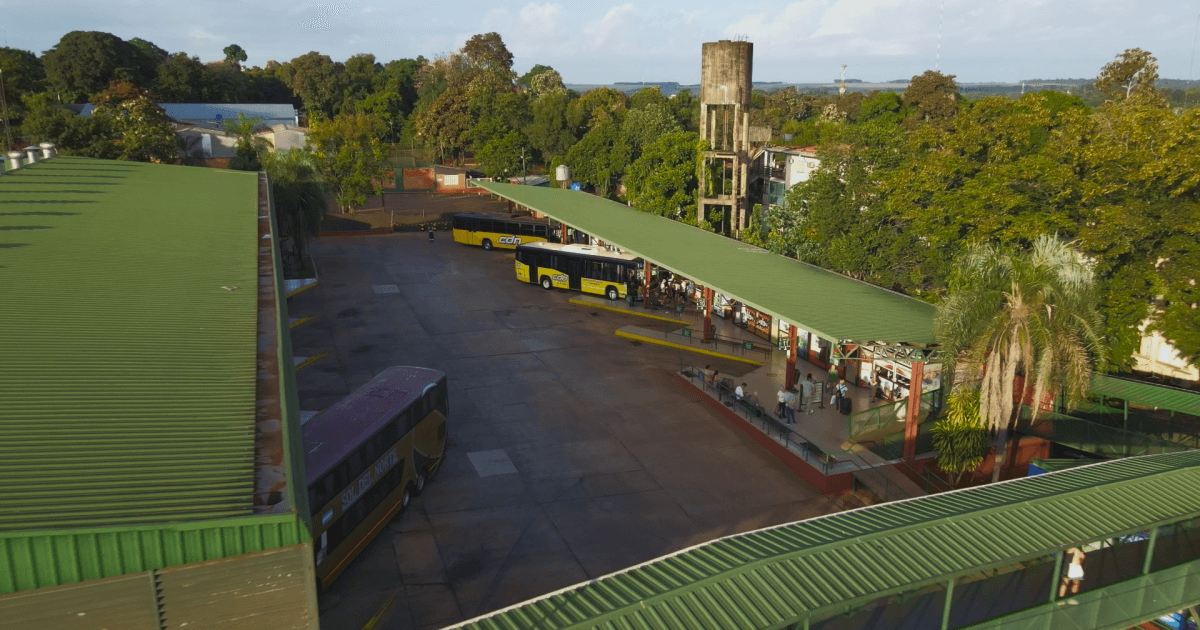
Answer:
(351, 157)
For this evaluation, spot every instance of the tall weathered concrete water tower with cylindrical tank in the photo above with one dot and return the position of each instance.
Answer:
(725, 86)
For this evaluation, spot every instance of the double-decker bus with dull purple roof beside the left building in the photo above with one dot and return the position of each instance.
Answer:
(368, 455)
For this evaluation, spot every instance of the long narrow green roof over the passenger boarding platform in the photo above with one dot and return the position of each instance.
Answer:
(835, 307)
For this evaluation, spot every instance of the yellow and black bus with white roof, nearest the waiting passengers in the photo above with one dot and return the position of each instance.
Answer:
(585, 268)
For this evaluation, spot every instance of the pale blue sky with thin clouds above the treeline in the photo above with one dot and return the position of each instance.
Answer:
(596, 41)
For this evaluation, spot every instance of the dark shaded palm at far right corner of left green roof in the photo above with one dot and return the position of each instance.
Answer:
(299, 194)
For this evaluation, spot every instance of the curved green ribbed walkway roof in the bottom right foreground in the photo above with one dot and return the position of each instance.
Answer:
(783, 575)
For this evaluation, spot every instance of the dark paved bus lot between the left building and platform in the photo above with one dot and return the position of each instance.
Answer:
(616, 463)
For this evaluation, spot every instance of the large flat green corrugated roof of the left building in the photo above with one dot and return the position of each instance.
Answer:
(128, 373)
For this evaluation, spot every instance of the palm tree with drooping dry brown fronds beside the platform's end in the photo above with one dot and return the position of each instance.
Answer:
(1033, 311)
